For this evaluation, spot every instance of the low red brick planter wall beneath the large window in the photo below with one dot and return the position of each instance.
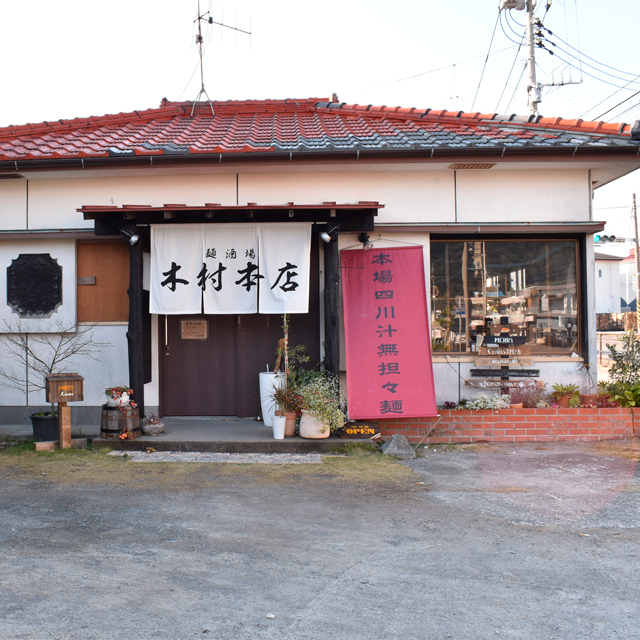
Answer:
(518, 425)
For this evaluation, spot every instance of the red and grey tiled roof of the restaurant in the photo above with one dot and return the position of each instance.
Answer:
(311, 126)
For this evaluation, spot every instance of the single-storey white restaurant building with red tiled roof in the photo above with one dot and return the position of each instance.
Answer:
(501, 206)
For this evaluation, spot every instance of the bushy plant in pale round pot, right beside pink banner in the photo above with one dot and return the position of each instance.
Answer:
(321, 406)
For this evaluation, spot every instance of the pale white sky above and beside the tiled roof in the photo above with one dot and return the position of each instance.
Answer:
(74, 58)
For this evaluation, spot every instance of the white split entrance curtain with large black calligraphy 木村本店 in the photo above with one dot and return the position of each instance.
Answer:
(230, 268)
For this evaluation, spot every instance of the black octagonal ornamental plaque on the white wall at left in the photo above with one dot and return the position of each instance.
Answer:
(34, 285)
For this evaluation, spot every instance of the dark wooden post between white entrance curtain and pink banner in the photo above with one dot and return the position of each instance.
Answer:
(332, 306)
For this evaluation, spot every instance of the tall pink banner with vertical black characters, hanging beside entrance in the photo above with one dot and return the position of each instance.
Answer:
(388, 347)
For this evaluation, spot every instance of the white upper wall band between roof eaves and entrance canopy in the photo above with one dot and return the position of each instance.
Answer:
(411, 193)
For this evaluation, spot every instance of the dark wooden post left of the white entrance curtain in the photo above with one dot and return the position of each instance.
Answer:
(134, 333)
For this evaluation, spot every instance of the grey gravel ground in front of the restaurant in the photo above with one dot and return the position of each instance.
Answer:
(482, 542)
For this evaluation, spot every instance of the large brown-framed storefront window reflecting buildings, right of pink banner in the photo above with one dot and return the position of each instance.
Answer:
(526, 289)
